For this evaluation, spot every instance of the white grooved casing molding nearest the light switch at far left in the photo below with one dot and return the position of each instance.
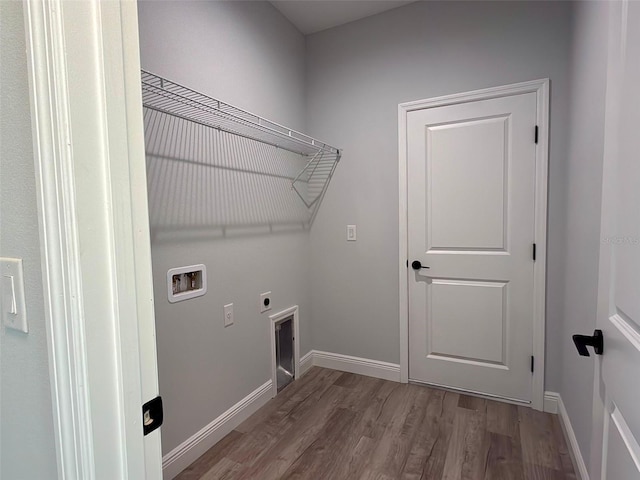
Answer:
(59, 242)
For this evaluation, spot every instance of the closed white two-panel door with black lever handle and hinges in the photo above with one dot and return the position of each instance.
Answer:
(471, 206)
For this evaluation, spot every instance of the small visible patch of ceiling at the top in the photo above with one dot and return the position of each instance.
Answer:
(311, 16)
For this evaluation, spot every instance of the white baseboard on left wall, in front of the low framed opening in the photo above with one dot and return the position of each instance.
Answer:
(191, 449)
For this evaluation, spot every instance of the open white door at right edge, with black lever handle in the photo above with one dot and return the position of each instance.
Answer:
(617, 389)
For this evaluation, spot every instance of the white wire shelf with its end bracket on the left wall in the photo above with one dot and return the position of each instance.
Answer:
(170, 98)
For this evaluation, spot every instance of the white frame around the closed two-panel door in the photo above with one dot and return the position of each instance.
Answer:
(541, 89)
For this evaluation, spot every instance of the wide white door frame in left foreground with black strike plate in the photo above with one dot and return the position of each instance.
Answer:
(86, 106)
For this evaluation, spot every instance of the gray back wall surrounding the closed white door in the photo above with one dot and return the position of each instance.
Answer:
(357, 75)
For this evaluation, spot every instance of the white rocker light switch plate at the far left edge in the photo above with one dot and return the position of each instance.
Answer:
(14, 311)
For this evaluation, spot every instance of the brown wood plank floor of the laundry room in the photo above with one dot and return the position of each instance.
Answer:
(334, 425)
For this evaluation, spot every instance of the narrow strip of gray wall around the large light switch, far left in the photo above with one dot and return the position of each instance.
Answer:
(27, 439)
